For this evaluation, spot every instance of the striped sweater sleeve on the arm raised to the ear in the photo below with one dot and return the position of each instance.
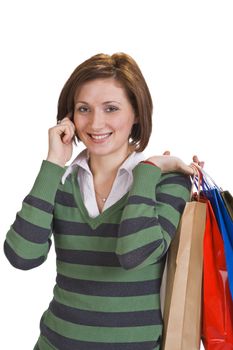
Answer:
(28, 240)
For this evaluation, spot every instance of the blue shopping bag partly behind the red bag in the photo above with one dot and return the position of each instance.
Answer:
(225, 223)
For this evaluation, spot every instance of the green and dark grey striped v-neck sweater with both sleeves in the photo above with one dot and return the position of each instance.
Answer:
(109, 268)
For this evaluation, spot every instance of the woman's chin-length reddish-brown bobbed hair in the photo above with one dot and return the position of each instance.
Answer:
(125, 70)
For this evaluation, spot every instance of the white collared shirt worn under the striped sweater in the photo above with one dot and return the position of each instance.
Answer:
(121, 185)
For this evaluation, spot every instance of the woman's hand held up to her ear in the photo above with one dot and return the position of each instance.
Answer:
(60, 142)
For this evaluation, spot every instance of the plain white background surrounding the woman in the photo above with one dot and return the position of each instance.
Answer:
(184, 49)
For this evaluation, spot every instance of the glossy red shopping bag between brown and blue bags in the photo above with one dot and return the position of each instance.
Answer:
(217, 305)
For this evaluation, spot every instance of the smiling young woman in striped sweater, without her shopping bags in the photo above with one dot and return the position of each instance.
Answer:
(112, 213)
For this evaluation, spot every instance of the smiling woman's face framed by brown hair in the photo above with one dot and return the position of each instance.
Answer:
(103, 116)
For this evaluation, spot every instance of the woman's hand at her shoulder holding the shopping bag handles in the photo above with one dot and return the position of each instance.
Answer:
(169, 163)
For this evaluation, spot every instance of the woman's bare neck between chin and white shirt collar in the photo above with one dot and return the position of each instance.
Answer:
(108, 165)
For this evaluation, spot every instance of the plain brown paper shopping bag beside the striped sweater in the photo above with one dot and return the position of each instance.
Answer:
(182, 310)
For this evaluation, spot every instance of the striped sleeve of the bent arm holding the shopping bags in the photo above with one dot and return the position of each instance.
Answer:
(151, 215)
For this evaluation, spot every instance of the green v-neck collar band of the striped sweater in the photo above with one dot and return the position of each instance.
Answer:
(93, 221)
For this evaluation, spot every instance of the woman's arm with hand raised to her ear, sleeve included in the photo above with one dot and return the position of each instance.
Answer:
(28, 240)
